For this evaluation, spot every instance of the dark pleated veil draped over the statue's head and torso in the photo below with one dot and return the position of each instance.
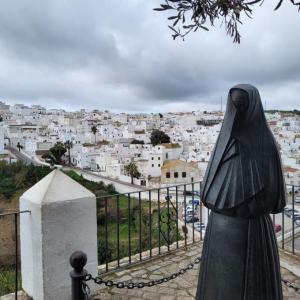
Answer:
(245, 165)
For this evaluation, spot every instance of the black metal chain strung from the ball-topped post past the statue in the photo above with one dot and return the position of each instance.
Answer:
(131, 285)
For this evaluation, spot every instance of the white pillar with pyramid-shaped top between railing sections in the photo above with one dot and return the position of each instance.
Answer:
(62, 220)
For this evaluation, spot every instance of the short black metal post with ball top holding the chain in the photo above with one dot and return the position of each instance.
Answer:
(78, 260)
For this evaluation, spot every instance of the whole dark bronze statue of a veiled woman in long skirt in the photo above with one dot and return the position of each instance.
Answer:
(243, 184)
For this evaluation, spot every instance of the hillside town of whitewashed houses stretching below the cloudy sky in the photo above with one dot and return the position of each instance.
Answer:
(107, 143)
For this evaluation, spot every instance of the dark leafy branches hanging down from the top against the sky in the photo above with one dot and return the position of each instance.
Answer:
(192, 15)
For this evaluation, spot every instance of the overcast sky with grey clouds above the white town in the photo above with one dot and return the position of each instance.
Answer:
(119, 55)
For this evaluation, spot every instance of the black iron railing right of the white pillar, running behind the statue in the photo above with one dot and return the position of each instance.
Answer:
(140, 225)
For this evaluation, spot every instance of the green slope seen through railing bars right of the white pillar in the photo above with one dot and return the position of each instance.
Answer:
(126, 216)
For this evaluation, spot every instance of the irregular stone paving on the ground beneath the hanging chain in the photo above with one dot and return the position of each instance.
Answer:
(180, 288)
